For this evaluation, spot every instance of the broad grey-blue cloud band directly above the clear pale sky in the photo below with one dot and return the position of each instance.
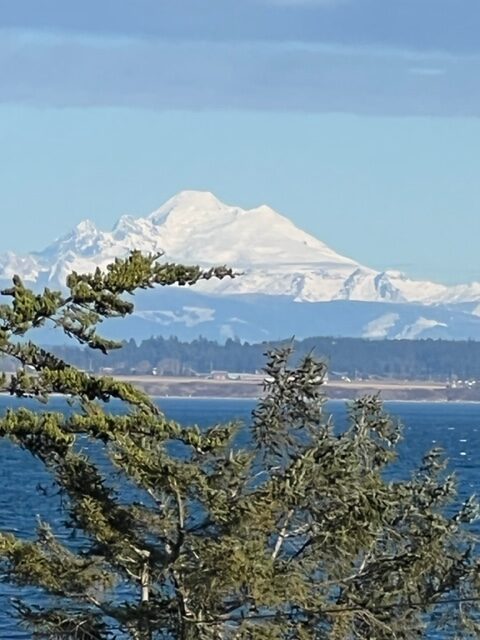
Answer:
(63, 72)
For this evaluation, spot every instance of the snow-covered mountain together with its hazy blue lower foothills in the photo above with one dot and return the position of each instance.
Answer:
(276, 259)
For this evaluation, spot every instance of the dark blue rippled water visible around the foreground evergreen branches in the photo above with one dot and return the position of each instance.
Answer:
(454, 427)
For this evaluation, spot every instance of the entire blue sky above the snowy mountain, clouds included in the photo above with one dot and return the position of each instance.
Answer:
(358, 119)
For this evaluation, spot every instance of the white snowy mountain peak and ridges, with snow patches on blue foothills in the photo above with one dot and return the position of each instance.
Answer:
(275, 257)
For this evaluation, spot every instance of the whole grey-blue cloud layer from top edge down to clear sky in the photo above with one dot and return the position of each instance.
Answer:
(317, 56)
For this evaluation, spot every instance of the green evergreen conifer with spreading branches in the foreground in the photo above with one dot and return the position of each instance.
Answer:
(299, 535)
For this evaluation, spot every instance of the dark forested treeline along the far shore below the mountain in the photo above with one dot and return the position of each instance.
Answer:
(352, 357)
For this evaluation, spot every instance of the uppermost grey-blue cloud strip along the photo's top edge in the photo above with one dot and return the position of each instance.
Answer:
(427, 25)
